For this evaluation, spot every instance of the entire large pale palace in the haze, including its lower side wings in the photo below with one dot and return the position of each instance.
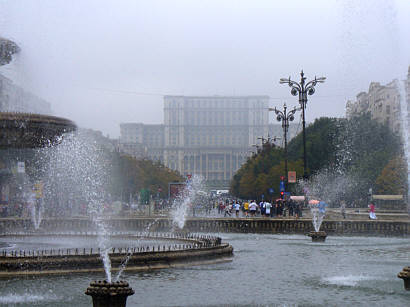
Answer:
(210, 136)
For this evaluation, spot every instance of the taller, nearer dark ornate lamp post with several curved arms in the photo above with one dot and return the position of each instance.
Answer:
(303, 89)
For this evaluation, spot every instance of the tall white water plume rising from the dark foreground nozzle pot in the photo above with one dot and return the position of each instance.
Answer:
(74, 175)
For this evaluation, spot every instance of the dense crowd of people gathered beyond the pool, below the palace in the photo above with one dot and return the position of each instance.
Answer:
(250, 208)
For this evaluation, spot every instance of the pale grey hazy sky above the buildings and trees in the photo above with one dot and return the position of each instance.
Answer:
(104, 62)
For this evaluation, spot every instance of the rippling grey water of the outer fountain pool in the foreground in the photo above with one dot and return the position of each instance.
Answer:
(266, 270)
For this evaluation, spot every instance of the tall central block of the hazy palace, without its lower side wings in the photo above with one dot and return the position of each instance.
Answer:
(212, 136)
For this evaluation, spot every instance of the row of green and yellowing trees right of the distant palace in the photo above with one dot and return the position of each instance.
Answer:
(353, 155)
